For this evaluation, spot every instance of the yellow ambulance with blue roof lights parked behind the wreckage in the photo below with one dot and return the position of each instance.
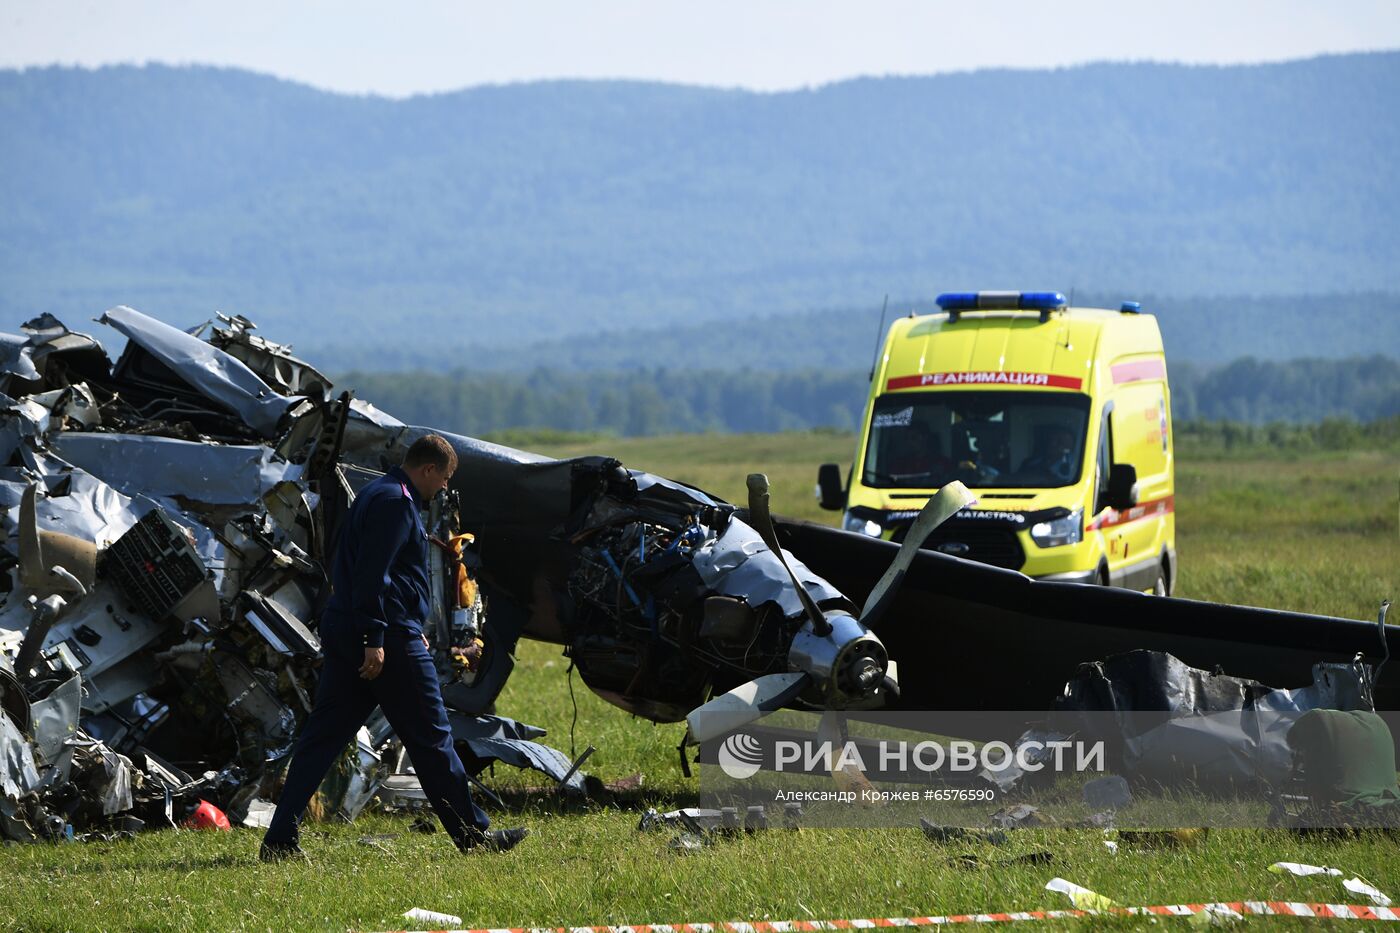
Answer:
(1059, 420)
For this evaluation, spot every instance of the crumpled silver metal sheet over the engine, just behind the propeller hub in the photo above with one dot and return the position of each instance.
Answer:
(738, 564)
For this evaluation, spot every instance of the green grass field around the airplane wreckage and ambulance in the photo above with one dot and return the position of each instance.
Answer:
(1315, 534)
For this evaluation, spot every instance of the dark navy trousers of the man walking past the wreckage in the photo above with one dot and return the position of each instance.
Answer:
(409, 693)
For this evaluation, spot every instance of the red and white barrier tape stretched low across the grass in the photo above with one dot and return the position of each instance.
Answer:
(1259, 908)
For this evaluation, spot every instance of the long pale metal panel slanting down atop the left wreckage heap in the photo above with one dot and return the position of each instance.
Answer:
(213, 373)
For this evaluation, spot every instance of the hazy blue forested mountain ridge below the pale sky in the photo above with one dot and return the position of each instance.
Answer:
(507, 216)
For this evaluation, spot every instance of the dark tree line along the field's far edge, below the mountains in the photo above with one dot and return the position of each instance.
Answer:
(668, 401)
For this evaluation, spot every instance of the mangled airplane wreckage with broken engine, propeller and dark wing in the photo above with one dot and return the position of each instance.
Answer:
(169, 519)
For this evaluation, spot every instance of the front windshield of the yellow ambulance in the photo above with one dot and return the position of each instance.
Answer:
(986, 439)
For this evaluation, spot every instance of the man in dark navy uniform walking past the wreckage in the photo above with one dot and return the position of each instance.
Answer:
(376, 655)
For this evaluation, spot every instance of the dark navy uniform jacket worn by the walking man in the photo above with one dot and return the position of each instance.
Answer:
(381, 572)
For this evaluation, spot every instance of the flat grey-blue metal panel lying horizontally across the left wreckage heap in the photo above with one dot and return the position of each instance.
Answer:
(199, 474)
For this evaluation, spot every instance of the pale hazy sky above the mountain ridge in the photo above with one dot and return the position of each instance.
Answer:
(409, 47)
